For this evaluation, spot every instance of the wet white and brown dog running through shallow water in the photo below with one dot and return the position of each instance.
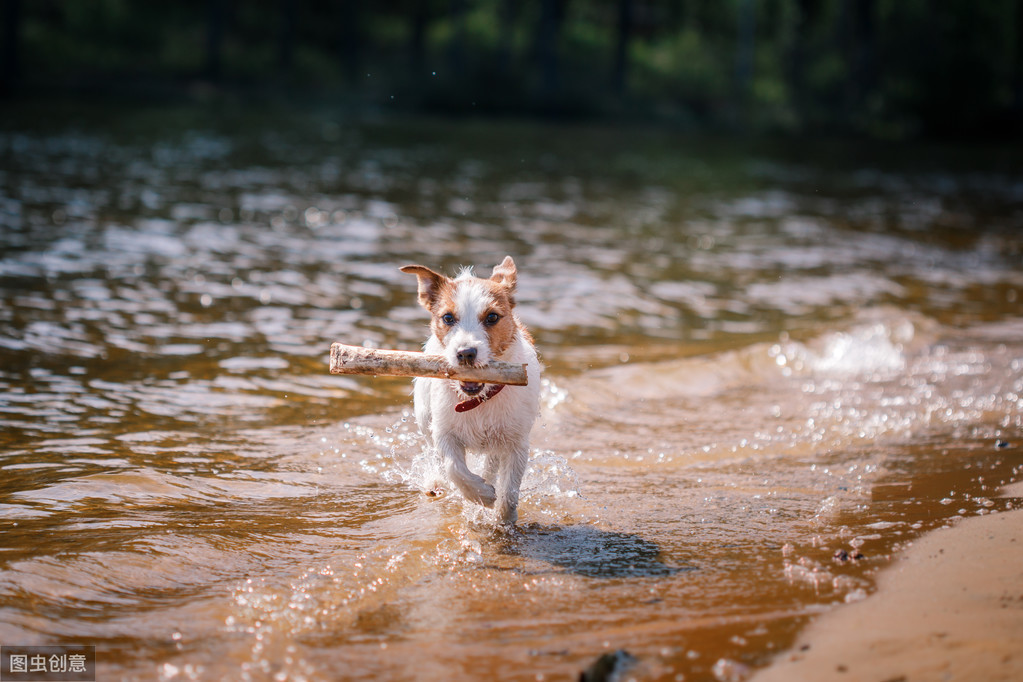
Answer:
(473, 323)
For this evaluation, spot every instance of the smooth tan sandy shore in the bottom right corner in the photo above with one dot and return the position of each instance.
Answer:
(951, 608)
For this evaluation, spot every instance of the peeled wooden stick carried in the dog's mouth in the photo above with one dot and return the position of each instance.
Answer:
(358, 360)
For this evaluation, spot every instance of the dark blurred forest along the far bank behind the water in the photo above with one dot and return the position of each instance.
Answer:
(883, 69)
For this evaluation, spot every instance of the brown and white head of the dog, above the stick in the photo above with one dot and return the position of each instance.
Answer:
(472, 317)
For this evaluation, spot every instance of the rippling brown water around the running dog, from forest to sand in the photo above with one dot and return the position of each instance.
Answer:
(757, 358)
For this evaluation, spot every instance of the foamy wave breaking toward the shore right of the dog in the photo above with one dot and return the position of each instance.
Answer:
(886, 374)
